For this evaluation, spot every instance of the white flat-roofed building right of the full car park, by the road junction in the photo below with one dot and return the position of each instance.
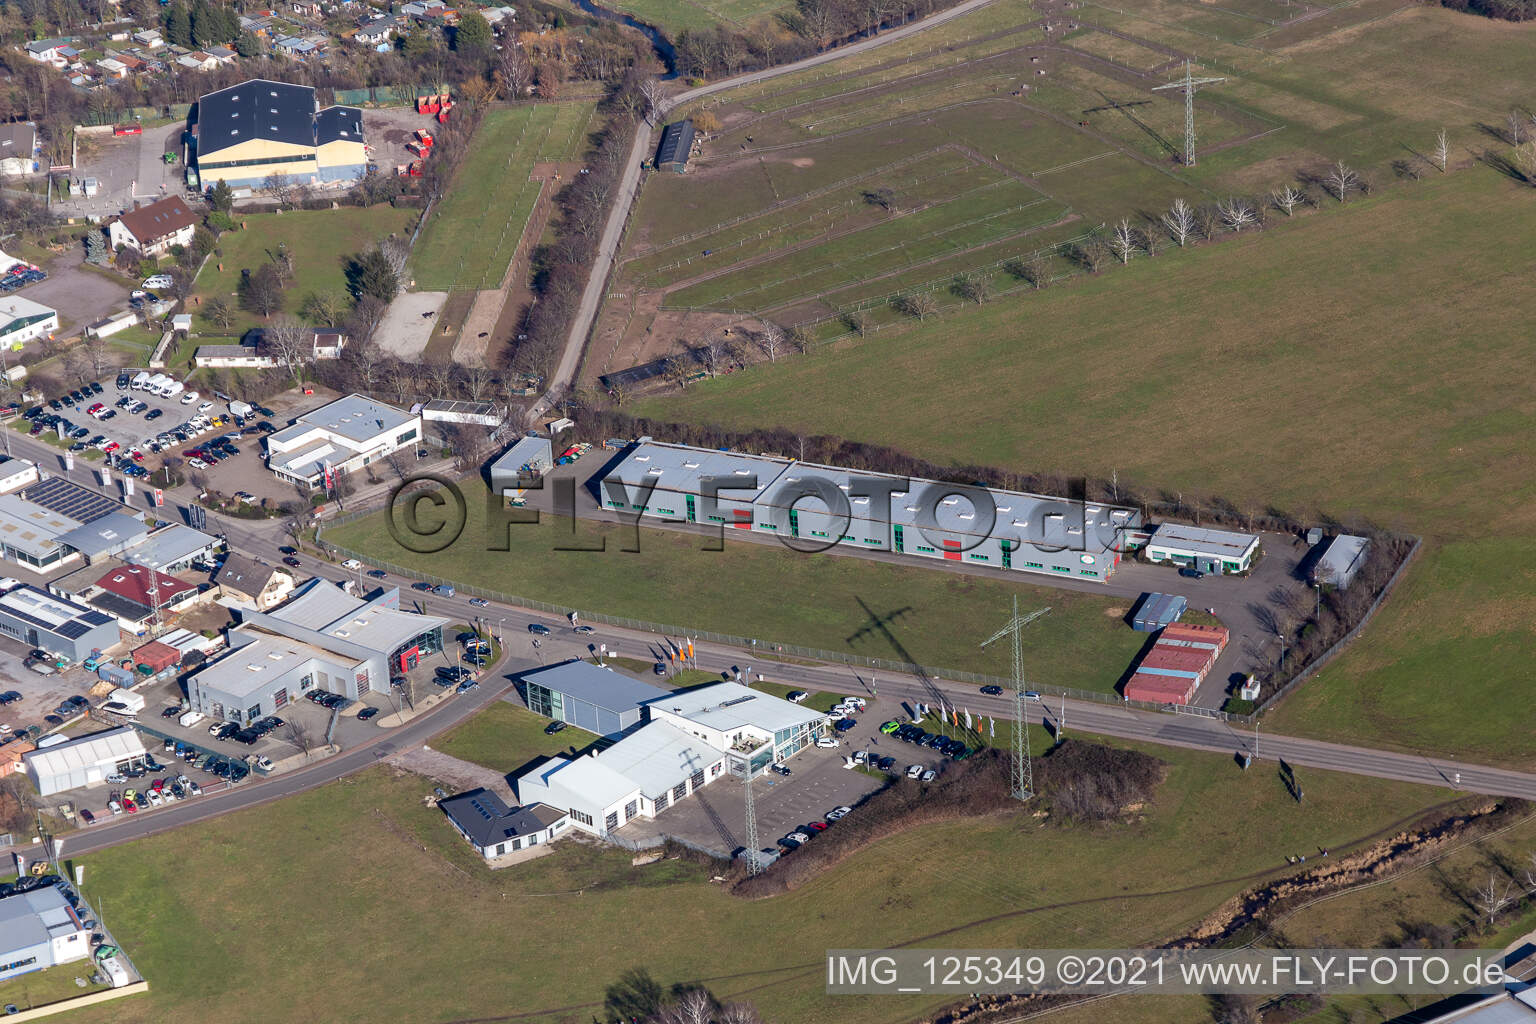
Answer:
(339, 438)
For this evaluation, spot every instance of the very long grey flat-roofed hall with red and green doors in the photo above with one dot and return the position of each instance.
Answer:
(816, 507)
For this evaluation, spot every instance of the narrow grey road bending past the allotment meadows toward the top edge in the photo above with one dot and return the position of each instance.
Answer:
(629, 185)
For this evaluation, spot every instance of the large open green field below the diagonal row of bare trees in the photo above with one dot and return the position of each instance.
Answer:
(1377, 388)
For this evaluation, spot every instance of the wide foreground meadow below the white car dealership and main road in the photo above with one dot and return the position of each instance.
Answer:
(262, 890)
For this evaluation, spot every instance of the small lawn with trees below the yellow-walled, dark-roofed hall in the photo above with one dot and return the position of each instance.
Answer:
(322, 243)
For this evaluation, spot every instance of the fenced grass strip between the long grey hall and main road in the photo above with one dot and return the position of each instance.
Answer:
(778, 595)
